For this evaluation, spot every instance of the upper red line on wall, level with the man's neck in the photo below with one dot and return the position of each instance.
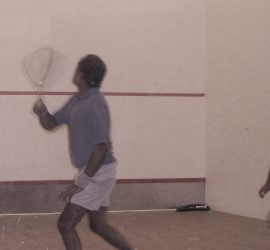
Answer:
(106, 93)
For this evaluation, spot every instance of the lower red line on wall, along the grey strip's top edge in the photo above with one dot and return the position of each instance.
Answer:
(119, 181)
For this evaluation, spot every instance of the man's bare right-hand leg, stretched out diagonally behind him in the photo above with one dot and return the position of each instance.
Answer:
(99, 225)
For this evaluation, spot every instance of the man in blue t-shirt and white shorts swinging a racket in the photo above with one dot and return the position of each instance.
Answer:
(86, 115)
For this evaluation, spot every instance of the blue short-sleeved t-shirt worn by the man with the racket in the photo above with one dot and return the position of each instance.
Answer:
(88, 120)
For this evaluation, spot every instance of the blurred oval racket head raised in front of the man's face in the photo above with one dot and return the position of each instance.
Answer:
(36, 66)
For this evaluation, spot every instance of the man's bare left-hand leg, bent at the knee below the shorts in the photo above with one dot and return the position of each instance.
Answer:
(67, 222)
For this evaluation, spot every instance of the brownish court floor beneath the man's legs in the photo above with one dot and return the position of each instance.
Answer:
(161, 230)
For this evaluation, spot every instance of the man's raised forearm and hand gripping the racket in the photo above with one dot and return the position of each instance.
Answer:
(46, 120)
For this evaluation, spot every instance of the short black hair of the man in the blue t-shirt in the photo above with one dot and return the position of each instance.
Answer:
(93, 69)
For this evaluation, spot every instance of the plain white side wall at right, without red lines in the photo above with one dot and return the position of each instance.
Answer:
(238, 114)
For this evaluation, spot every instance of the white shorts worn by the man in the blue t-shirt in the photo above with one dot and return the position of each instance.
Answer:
(97, 193)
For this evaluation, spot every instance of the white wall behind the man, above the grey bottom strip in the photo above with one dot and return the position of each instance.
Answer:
(149, 46)
